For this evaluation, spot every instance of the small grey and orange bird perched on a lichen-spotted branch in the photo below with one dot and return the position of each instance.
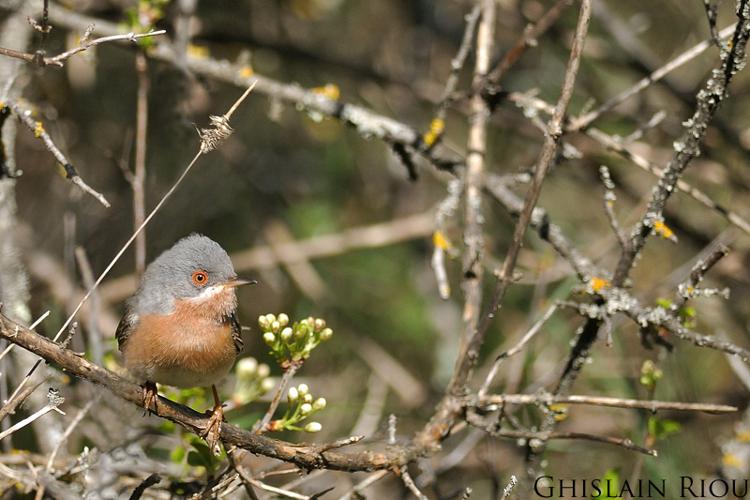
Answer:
(180, 328)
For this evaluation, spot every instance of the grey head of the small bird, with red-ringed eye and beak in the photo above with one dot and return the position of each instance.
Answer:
(193, 266)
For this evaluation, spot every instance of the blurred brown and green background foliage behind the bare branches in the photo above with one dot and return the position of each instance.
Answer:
(288, 173)
